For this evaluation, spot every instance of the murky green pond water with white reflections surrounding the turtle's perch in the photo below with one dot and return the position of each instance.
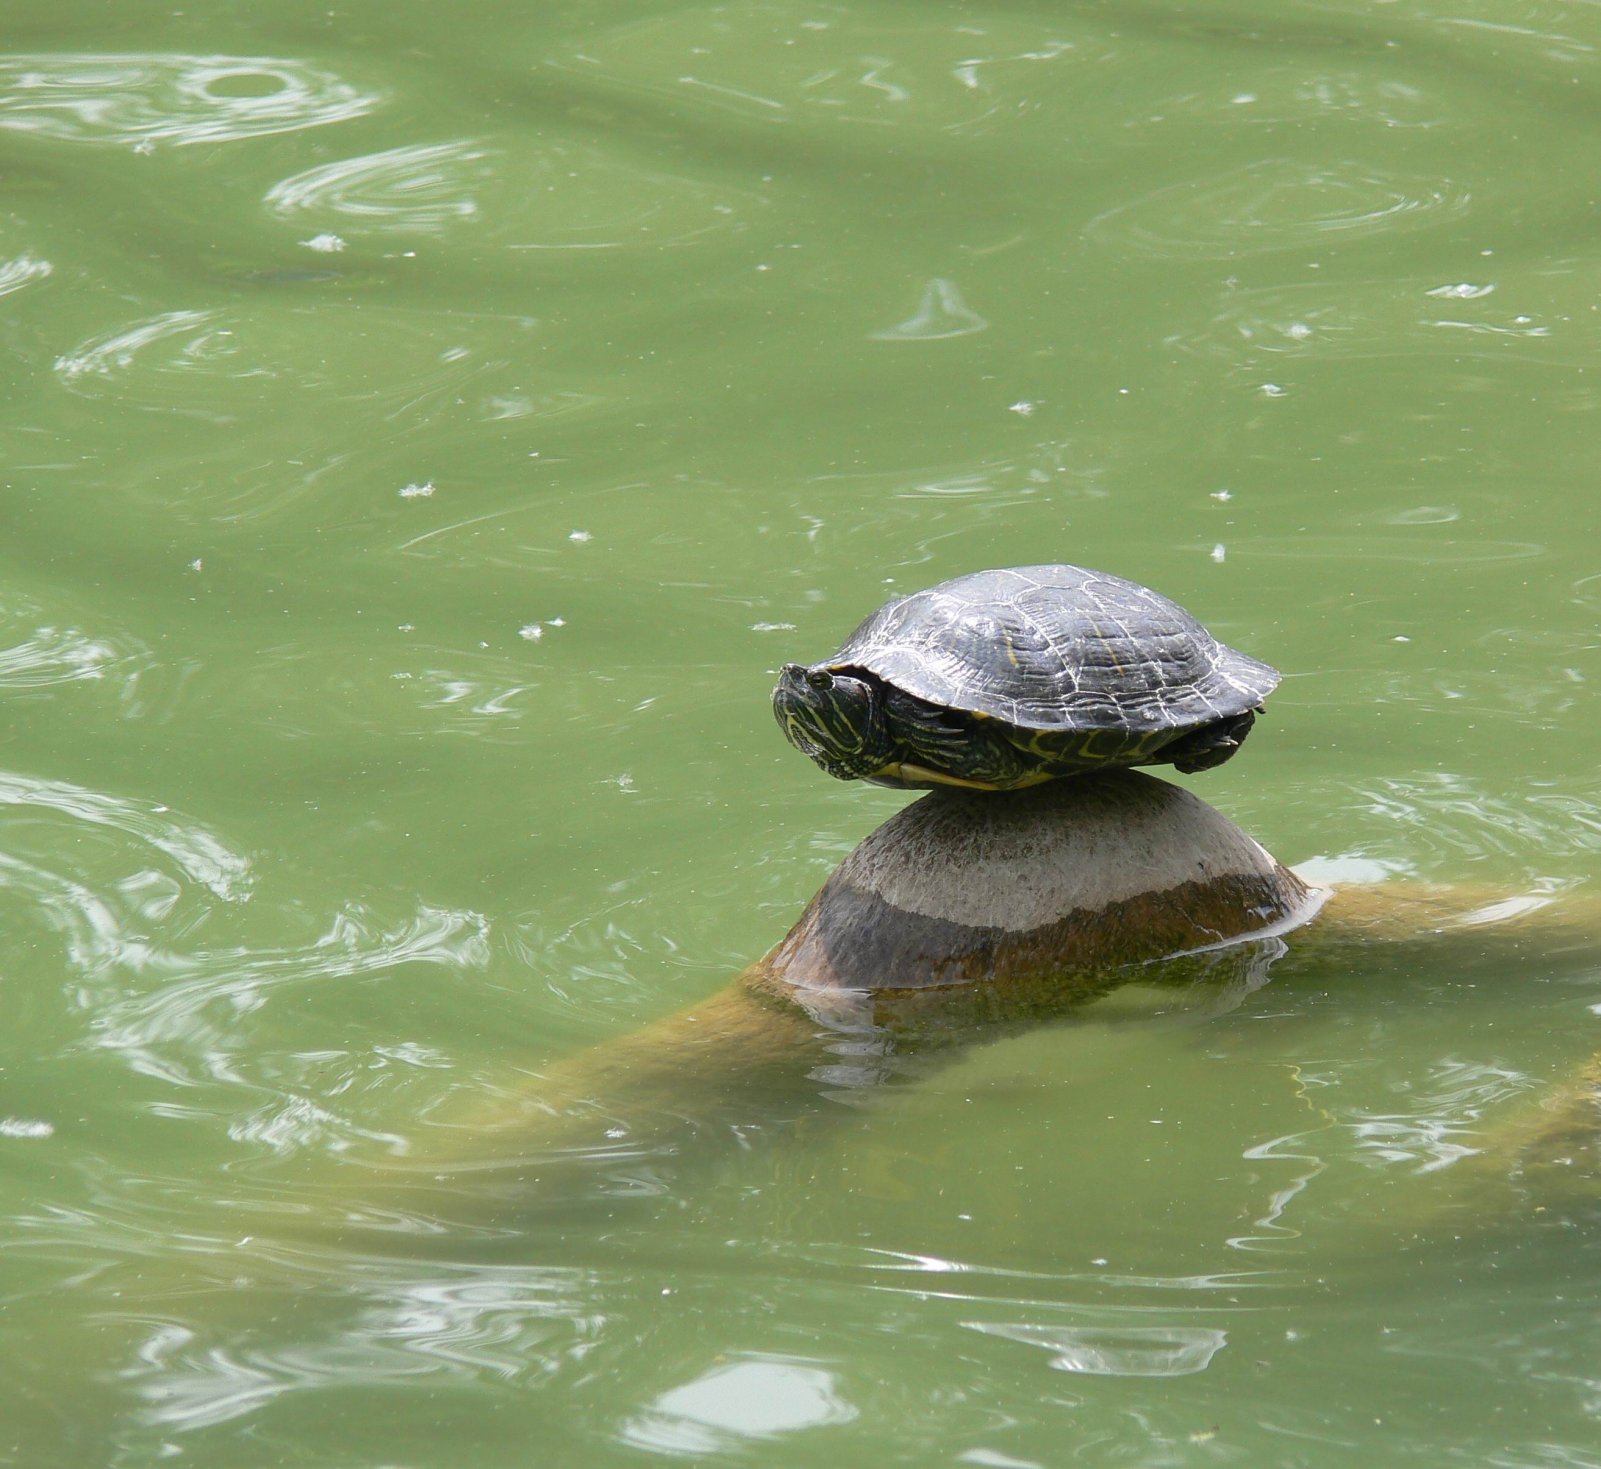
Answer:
(428, 428)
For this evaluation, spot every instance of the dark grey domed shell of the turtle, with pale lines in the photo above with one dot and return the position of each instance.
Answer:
(1057, 649)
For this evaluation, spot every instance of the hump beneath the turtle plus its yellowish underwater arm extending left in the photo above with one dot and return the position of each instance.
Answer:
(960, 911)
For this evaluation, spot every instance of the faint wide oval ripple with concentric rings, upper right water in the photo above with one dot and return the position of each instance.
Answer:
(1274, 206)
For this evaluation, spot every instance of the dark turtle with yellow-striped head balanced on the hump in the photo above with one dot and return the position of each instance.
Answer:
(1011, 678)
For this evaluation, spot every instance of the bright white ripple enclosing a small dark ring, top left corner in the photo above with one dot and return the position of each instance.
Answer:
(171, 98)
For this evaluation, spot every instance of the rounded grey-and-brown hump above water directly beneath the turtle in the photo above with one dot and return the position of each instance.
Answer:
(971, 907)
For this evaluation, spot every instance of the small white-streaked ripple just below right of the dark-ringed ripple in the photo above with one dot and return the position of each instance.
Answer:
(406, 188)
